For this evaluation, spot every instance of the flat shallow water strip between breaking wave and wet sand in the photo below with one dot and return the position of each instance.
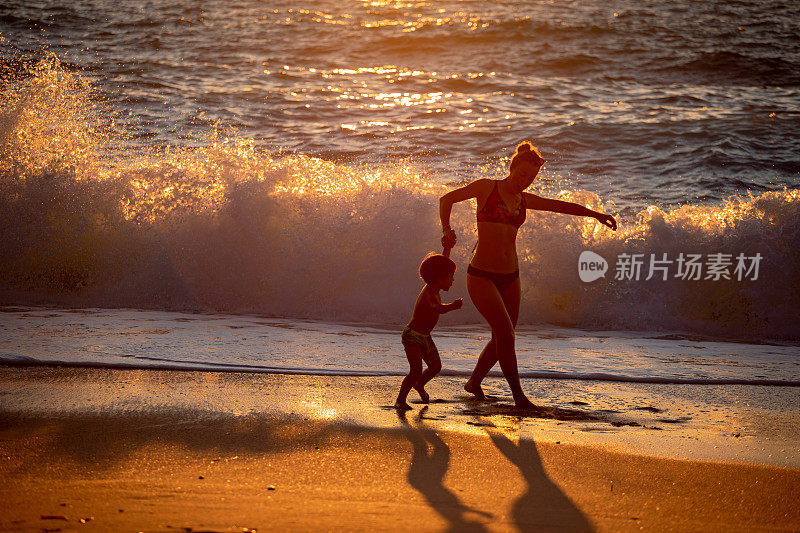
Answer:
(124, 338)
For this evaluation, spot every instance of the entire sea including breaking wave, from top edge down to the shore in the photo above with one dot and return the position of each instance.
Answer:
(284, 160)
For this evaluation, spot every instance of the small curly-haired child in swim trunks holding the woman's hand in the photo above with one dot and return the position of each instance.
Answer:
(437, 271)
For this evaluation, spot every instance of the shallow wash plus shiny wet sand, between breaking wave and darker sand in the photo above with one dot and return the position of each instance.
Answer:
(670, 395)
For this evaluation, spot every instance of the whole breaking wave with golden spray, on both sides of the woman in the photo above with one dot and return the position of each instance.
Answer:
(227, 226)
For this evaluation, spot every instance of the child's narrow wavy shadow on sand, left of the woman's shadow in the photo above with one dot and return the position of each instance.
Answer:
(427, 471)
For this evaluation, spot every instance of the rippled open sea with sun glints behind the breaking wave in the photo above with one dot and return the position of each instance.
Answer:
(642, 102)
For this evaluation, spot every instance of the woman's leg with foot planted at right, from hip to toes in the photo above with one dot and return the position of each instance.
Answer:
(490, 304)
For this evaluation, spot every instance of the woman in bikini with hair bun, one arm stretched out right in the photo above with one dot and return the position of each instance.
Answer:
(493, 274)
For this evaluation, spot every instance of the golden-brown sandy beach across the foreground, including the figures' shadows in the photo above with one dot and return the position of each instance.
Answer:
(131, 450)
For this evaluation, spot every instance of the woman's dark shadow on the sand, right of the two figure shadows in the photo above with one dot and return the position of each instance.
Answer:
(543, 507)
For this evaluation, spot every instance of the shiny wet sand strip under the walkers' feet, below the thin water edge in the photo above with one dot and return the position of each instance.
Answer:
(746, 424)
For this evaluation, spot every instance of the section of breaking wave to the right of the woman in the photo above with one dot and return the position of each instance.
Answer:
(768, 224)
